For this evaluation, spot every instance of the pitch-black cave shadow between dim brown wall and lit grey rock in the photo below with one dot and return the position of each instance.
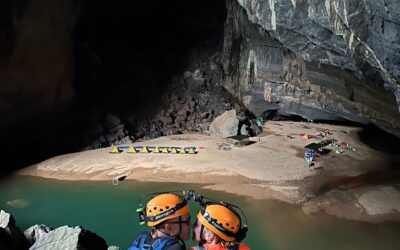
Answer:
(124, 56)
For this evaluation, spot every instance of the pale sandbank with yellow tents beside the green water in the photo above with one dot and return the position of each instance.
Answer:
(272, 167)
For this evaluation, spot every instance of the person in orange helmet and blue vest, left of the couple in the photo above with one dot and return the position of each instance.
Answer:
(168, 215)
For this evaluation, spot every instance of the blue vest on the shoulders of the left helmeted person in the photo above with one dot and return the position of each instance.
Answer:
(145, 242)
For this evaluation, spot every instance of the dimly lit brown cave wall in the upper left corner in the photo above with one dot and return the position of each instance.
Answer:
(36, 73)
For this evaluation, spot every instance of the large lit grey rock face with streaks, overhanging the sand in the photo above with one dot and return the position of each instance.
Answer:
(327, 60)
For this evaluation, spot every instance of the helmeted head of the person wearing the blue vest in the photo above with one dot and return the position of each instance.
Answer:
(169, 214)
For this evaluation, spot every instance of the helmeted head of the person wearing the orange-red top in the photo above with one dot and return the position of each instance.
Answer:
(217, 223)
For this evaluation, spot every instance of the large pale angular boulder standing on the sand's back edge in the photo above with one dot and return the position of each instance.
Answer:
(225, 125)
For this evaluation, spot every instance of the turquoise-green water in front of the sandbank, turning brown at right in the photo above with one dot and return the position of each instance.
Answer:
(109, 211)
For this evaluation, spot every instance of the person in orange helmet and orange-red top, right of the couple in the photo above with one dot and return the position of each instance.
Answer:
(219, 226)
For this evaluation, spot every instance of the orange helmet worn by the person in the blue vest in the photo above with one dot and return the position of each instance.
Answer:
(164, 207)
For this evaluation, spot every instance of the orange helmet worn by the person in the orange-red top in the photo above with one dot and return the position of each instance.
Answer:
(221, 220)
